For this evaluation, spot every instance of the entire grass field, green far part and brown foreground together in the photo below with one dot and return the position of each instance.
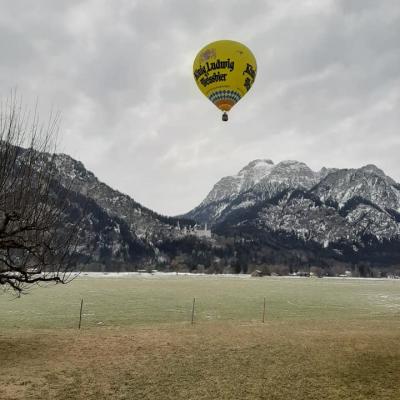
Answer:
(322, 339)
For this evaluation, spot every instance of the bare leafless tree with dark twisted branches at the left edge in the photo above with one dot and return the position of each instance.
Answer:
(36, 245)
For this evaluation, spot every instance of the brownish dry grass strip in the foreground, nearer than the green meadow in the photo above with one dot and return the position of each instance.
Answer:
(215, 360)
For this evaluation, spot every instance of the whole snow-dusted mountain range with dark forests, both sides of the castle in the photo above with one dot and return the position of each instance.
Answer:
(268, 214)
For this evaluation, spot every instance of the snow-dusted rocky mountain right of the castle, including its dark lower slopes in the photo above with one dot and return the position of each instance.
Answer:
(344, 212)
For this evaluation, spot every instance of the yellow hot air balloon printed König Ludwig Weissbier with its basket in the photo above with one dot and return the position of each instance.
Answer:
(224, 71)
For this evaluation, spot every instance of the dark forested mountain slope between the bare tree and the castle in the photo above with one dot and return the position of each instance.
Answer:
(116, 231)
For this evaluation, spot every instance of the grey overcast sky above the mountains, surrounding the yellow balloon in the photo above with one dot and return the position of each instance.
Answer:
(327, 90)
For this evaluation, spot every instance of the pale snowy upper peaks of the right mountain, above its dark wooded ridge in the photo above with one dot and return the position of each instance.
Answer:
(261, 181)
